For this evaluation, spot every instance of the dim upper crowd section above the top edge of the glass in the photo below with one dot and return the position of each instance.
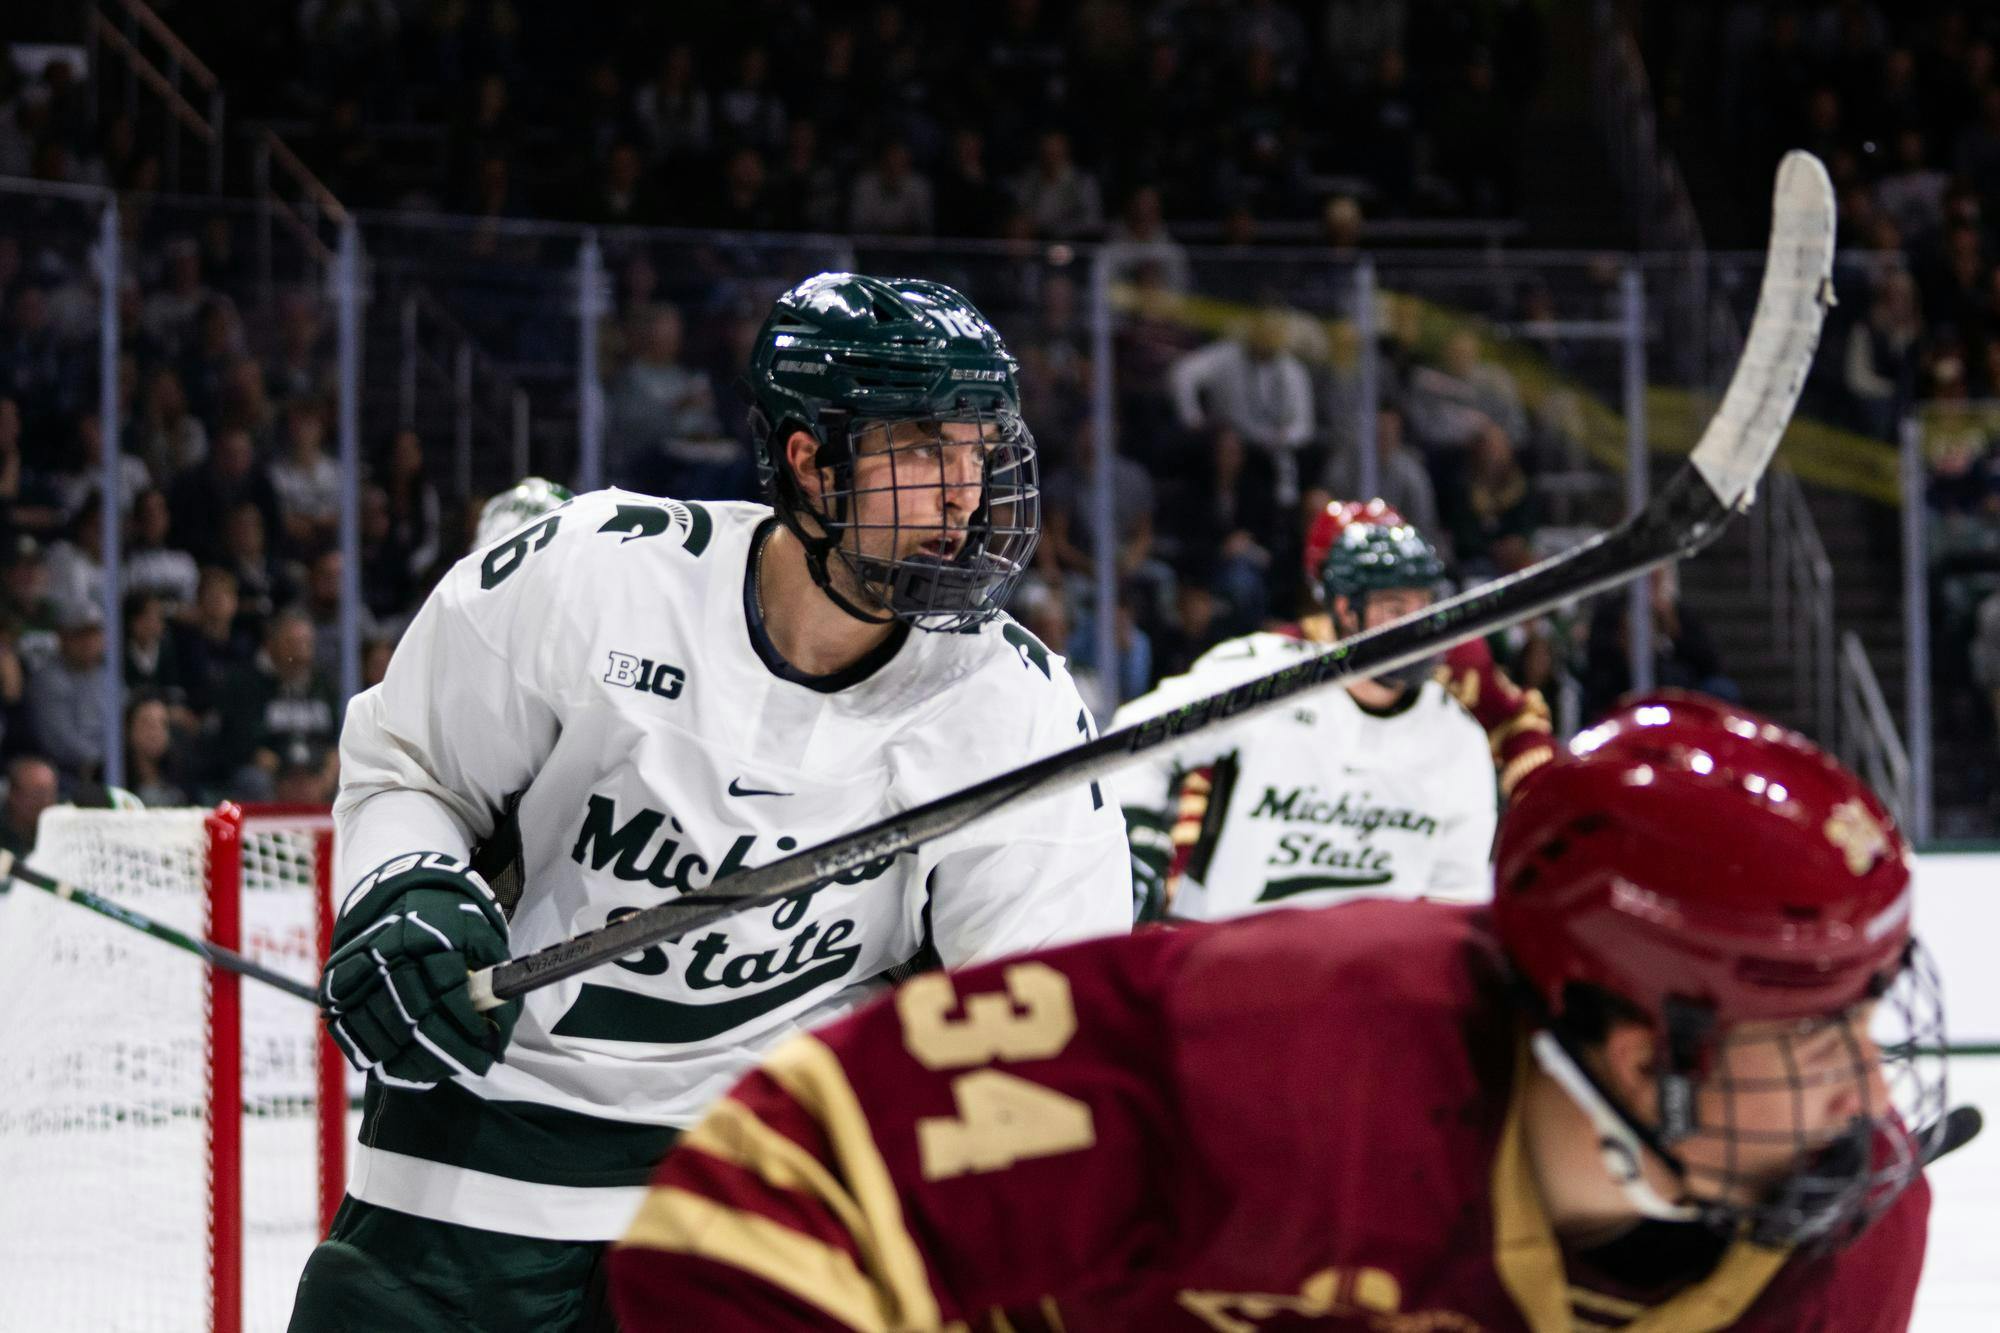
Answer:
(1031, 117)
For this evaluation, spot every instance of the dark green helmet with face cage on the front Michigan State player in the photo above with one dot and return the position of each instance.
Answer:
(911, 371)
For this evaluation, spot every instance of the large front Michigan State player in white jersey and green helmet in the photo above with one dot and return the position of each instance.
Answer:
(635, 698)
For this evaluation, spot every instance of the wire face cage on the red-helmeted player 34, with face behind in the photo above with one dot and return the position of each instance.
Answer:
(1841, 1180)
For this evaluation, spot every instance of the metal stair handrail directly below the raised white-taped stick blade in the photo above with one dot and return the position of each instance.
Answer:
(1789, 563)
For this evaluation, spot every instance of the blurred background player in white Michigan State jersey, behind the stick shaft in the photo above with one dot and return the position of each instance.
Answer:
(1383, 790)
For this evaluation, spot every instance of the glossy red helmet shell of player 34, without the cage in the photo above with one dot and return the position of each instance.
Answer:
(1689, 850)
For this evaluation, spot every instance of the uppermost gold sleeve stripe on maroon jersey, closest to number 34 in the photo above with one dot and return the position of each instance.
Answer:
(813, 1076)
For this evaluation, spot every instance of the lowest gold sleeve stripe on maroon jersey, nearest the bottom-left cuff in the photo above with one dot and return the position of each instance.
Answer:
(687, 1224)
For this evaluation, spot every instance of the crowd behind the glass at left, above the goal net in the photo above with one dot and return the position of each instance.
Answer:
(227, 505)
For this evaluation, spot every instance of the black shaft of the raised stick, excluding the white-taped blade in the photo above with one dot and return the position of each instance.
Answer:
(1681, 521)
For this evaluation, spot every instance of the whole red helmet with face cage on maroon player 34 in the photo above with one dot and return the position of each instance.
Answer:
(1711, 870)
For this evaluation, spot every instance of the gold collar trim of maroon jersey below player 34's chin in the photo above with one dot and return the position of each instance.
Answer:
(1529, 1258)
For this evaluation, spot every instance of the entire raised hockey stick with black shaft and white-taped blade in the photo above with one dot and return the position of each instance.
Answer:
(1689, 513)
